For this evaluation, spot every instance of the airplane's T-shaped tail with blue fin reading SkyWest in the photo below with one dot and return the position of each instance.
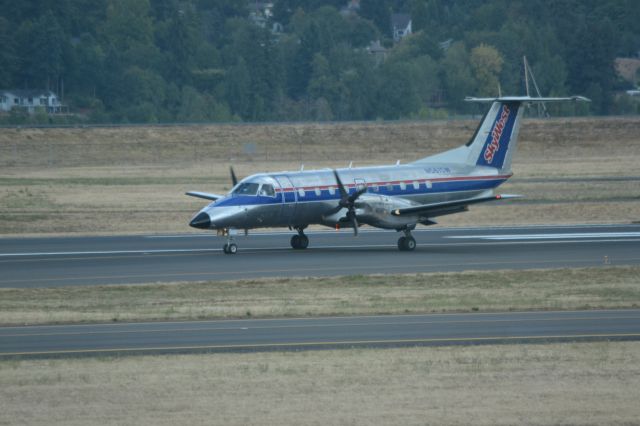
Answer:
(494, 142)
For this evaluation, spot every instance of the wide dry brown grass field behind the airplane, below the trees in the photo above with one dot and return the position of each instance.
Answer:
(54, 181)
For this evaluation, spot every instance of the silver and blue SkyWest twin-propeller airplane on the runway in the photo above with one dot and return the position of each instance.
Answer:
(395, 197)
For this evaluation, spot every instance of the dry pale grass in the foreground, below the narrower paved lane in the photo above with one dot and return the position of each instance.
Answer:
(575, 383)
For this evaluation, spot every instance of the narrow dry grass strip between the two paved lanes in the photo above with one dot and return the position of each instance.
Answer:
(586, 288)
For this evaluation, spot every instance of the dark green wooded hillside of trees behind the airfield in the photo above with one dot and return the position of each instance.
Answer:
(208, 60)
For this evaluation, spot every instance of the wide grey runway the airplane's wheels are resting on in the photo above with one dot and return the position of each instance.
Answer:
(51, 262)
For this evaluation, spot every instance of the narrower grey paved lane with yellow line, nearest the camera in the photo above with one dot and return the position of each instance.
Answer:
(319, 333)
